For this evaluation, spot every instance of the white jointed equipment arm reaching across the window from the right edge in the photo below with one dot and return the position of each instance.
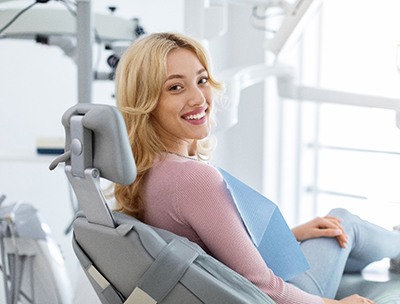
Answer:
(238, 79)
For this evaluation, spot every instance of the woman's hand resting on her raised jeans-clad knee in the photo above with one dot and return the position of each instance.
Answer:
(327, 226)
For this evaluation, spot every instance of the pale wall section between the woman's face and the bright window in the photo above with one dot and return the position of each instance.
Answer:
(240, 149)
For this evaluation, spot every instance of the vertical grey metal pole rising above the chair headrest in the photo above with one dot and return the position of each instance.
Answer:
(84, 35)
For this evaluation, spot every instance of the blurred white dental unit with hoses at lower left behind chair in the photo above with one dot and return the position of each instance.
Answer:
(32, 264)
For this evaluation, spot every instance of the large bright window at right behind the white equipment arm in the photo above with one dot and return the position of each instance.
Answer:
(338, 155)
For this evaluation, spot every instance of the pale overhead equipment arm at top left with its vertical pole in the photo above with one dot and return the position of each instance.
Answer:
(75, 31)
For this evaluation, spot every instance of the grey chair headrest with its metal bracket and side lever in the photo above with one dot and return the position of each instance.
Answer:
(96, 145)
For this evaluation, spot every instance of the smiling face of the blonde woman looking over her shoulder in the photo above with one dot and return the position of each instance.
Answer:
(182, 114)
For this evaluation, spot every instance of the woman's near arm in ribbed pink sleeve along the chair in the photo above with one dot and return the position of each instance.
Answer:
(214, 217)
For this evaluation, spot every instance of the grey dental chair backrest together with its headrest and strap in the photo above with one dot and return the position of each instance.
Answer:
(126, 260)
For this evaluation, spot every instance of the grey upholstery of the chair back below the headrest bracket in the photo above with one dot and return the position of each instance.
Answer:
(129, 258)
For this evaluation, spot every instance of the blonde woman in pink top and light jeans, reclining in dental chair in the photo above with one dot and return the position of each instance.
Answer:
(164, 88)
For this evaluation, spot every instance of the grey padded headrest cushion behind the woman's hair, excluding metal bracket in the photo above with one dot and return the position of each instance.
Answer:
(111, 150)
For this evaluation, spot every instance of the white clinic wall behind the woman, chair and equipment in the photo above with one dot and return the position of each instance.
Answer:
(38, 83)
